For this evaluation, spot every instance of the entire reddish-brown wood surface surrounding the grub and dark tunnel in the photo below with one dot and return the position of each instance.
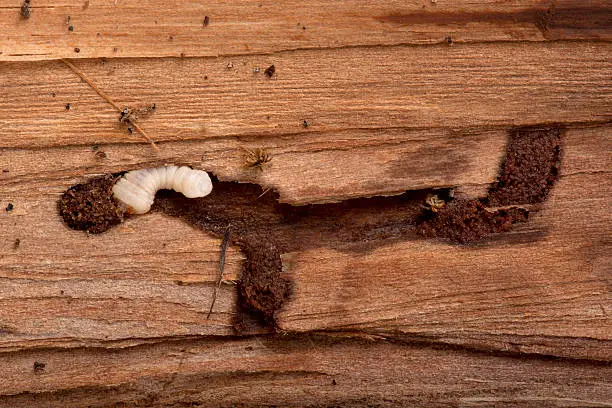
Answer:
(119, 319)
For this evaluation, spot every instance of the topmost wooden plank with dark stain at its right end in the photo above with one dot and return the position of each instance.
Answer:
(175, 28)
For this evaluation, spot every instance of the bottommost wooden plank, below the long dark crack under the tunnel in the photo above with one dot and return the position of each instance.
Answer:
(300, 372)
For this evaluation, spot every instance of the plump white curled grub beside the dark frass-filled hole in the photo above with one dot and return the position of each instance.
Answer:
(136, 189)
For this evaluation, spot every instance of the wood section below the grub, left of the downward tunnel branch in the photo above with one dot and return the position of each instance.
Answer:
(62, 287)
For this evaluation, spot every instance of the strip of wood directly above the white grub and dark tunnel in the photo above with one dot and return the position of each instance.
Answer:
(320, 168)
